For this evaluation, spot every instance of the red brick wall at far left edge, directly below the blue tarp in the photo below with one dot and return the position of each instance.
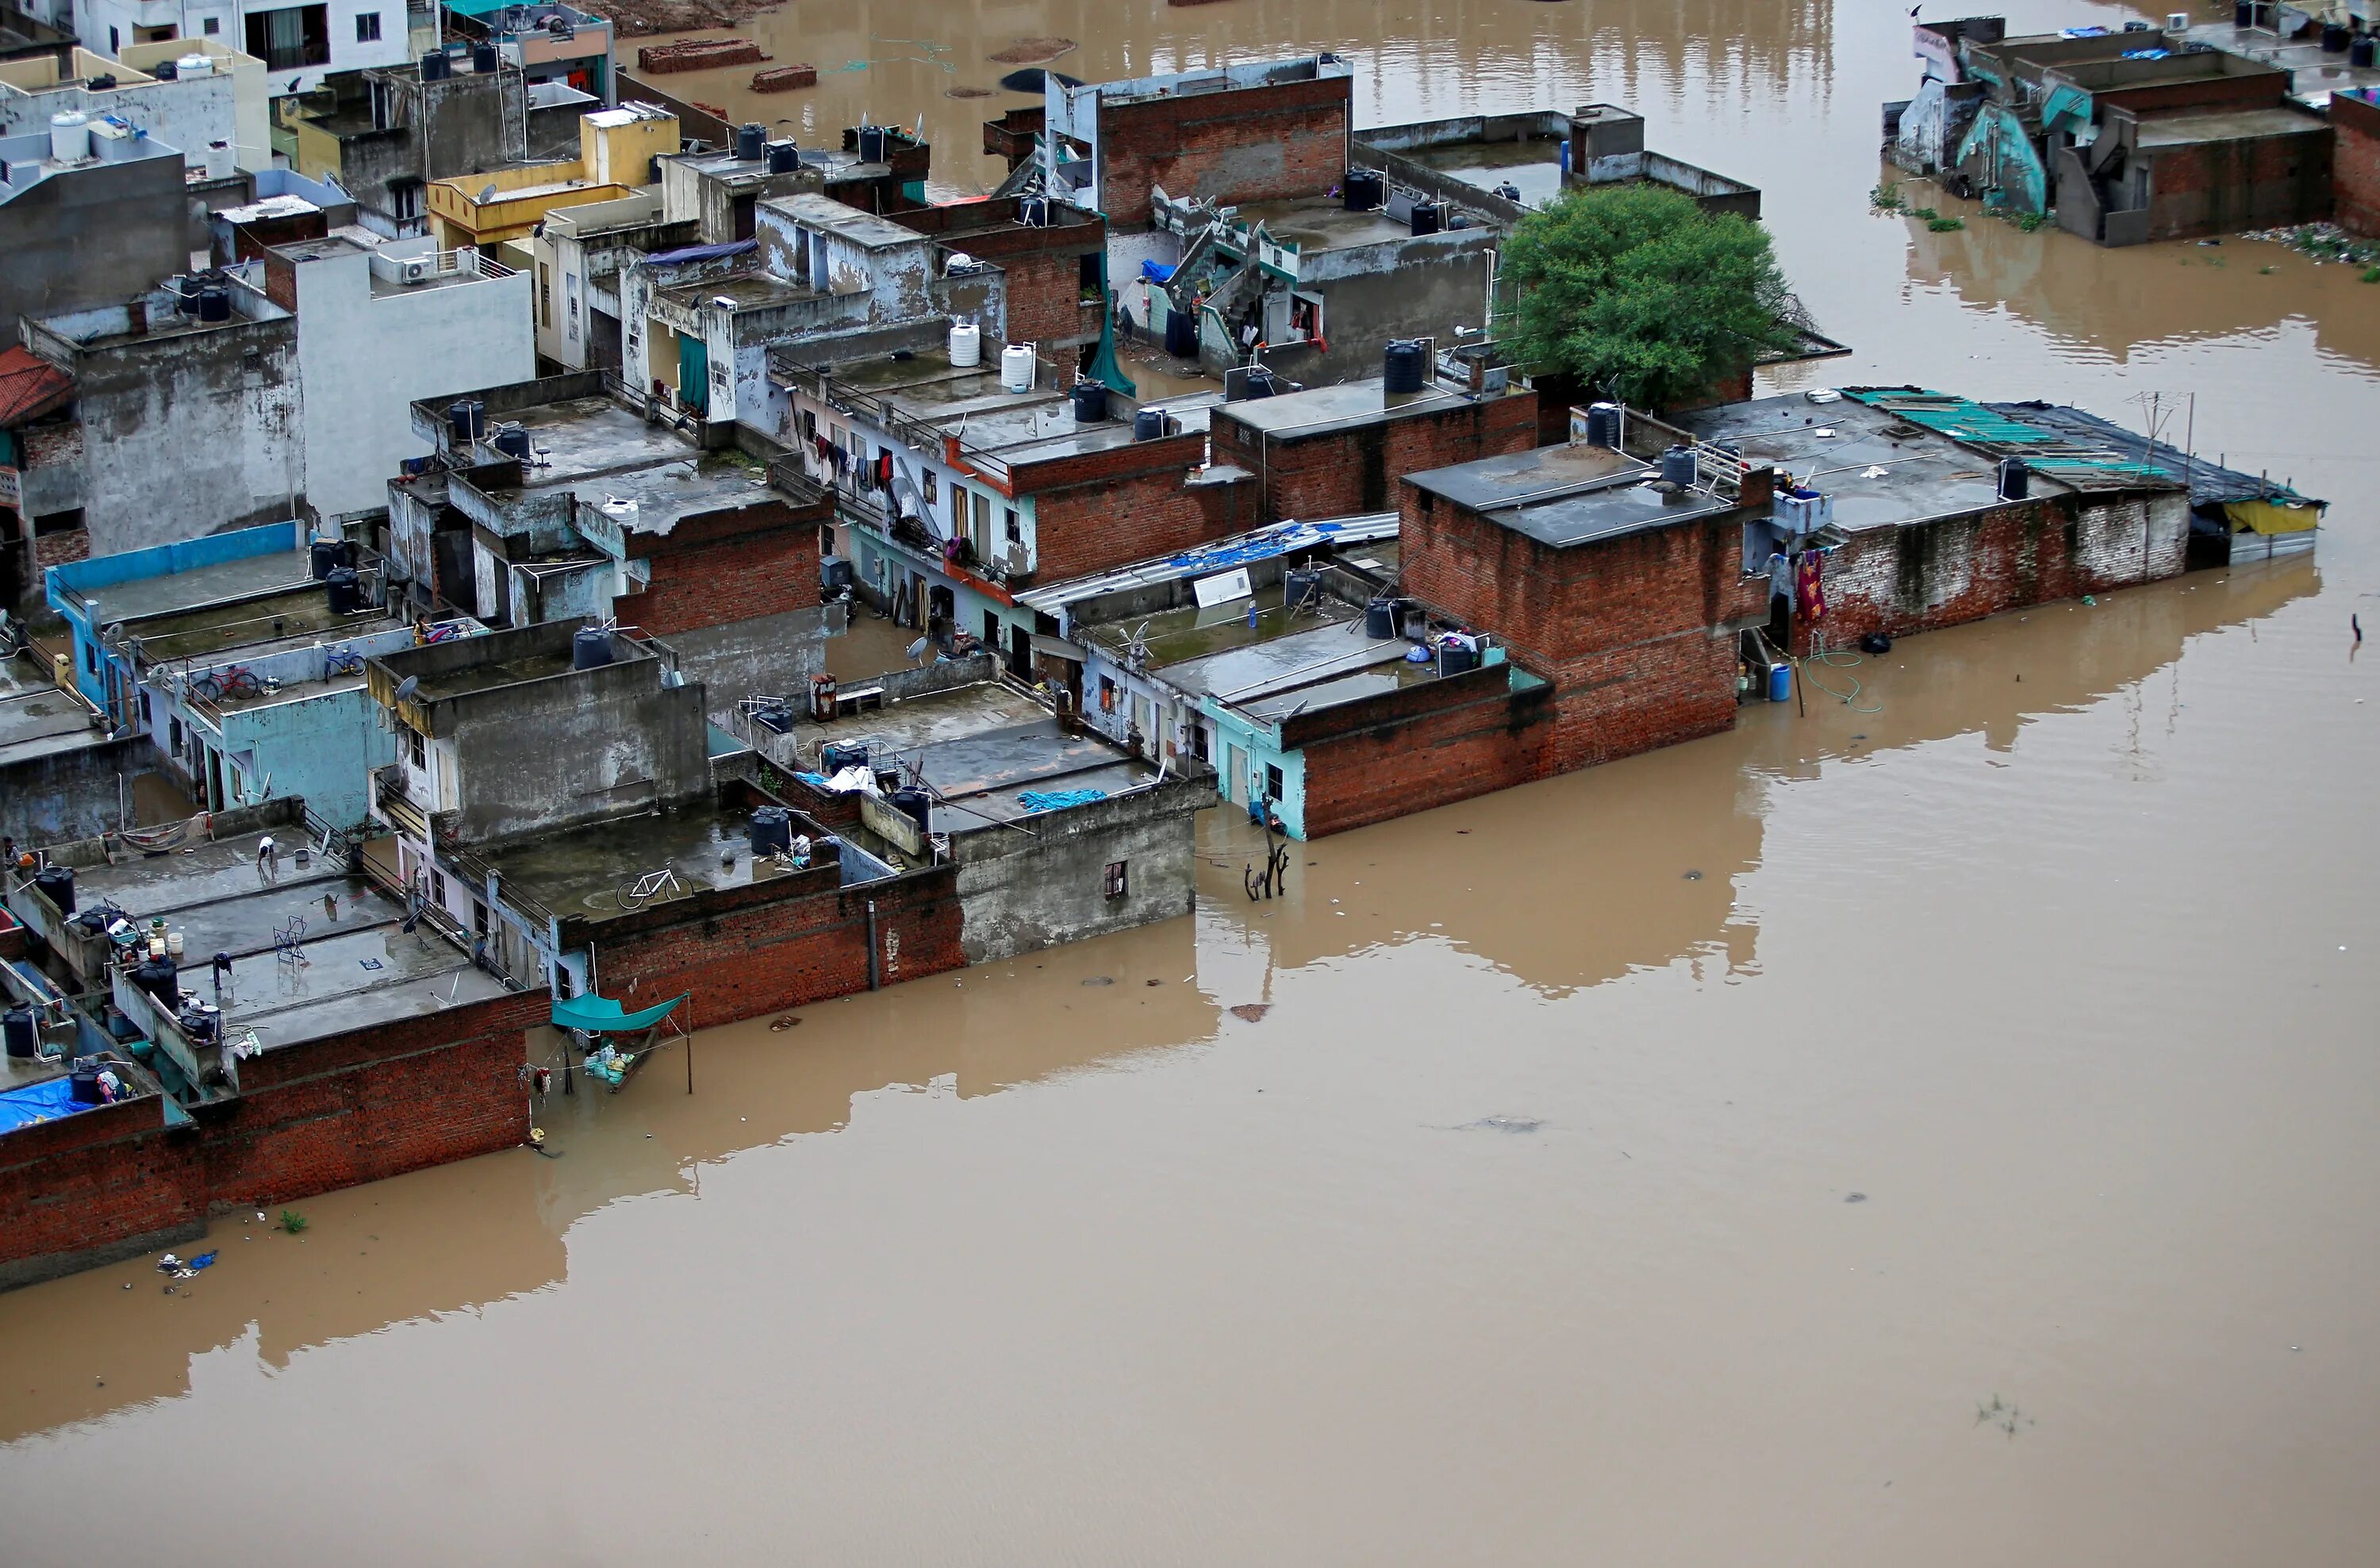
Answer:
(96, 1186)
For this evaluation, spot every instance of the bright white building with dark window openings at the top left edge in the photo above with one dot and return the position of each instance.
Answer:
(299, 44)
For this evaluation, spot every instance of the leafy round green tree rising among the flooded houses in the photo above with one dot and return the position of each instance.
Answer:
(1636, 289)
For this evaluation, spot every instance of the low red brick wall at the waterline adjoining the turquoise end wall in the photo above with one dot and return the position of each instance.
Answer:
(1448, 741)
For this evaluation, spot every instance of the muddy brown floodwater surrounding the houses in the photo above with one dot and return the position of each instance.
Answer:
(1522, 1227)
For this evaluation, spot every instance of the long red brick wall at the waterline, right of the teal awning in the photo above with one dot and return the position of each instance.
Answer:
(772, 955)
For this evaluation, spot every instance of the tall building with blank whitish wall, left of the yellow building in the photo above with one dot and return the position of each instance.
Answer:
(380, 327)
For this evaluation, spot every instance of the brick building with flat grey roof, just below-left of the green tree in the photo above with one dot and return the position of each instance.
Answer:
(1341, 451)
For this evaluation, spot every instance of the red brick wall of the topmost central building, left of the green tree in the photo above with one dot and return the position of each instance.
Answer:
(1253, 146)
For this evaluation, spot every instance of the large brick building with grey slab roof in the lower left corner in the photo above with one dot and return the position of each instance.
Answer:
(332, 1043)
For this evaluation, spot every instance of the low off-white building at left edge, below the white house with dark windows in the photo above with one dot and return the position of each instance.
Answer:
(194, 96)
